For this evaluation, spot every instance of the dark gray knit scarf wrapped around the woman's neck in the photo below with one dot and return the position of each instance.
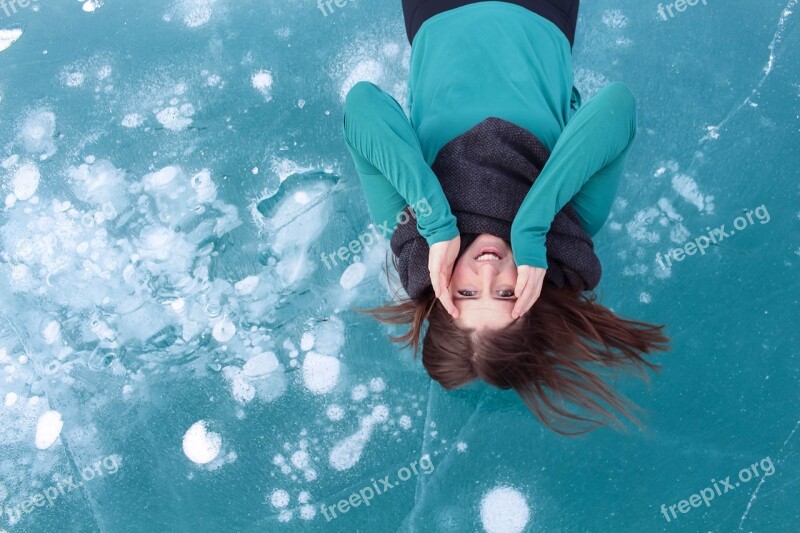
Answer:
(485, 174)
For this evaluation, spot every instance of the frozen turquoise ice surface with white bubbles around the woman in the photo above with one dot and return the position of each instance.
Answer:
(174, 180)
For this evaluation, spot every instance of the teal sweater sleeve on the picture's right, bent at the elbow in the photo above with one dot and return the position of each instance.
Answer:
(584, 169)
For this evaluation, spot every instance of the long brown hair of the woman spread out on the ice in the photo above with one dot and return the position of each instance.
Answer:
(551, 355)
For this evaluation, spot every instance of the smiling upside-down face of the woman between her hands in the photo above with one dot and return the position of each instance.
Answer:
(482, 285)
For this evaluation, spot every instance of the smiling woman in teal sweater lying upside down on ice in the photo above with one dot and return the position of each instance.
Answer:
(518, 176)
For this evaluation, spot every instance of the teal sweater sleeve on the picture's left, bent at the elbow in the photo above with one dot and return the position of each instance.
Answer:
(390, 164)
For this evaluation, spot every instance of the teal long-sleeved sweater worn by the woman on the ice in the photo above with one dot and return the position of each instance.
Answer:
(491, 59)
